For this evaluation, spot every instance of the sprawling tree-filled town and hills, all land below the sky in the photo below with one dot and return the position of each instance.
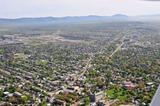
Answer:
(89, 60)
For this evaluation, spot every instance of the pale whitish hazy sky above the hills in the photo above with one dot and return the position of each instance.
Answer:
(60, 8)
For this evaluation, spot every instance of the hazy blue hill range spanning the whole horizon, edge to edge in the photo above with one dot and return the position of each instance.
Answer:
(74, 19)
